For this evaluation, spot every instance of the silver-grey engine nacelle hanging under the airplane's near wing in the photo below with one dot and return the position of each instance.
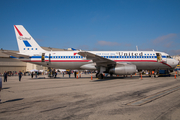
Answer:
(125, 69)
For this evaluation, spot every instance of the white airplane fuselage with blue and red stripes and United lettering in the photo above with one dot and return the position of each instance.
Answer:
(146, 60)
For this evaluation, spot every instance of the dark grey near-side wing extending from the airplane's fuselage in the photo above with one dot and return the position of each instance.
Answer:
(97, 59)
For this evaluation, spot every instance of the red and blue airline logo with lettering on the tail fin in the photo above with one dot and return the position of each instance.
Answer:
(26, 43)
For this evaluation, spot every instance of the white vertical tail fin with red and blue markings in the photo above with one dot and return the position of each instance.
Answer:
(25, 41)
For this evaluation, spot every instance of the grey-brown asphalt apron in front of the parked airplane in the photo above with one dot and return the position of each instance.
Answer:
(83, 98)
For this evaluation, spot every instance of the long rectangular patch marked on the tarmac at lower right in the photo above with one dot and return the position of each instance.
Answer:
(153, 97)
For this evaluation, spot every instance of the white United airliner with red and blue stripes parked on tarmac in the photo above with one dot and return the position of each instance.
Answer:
(112, 62)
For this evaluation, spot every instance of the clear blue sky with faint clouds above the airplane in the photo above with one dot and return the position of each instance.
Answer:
(105, 25)
